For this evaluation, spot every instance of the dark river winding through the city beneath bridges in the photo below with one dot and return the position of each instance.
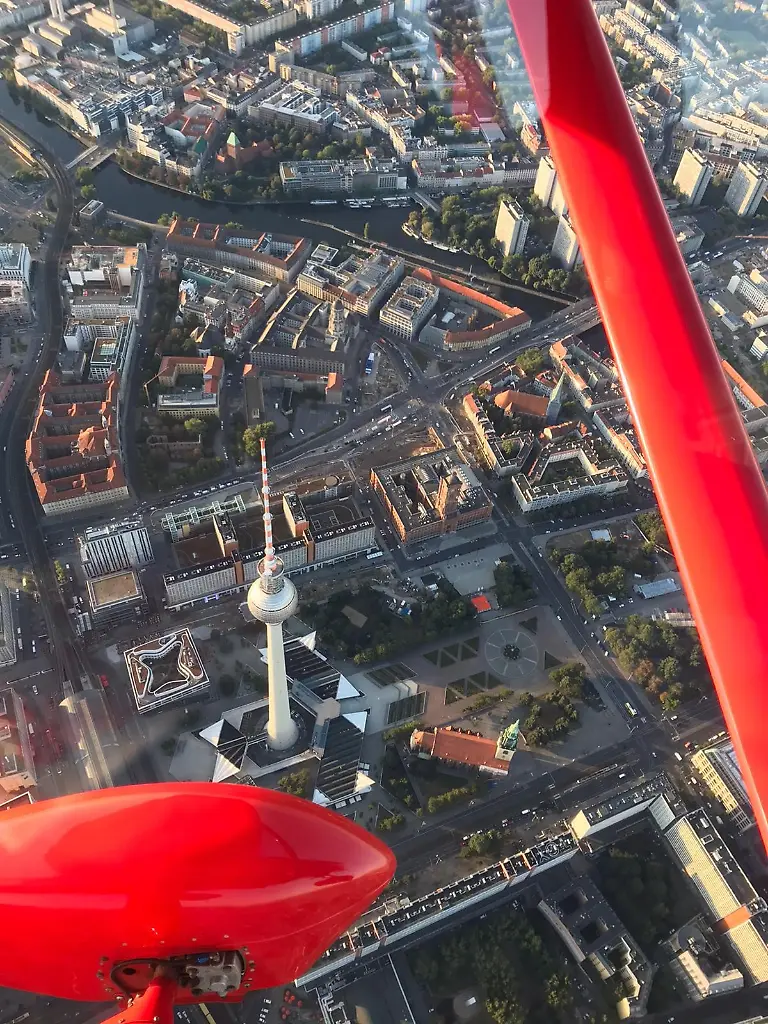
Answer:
(135, 198)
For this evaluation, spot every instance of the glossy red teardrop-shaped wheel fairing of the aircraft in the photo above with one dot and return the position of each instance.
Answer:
(156, 871)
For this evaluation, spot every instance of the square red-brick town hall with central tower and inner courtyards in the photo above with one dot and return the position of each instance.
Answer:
(432, 495)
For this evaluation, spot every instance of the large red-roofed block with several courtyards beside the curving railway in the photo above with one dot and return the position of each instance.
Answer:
(73, 452)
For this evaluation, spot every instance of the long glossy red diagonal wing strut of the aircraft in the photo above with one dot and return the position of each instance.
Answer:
(710, 489)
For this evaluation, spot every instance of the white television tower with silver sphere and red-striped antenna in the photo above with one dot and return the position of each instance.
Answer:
(273, 600)
